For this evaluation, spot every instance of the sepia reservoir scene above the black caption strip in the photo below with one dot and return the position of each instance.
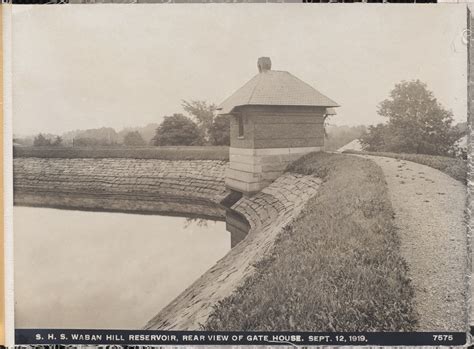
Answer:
(240, 167)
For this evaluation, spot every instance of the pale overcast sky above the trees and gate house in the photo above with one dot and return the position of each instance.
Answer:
(88, 66)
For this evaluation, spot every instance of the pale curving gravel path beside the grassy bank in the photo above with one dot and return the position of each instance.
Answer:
(429, 213)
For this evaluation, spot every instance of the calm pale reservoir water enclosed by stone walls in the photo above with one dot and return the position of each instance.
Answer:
(79, 269)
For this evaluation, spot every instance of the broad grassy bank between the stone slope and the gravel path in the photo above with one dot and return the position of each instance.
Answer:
(337, 267)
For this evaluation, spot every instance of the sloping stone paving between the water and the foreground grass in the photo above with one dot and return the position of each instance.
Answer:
(268, 212)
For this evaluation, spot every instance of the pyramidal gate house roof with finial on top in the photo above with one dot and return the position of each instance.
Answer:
(273, 87)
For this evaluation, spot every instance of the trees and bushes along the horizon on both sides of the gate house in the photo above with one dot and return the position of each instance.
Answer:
(415, 123)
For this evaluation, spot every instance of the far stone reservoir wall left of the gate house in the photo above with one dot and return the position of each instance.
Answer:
(136, 185)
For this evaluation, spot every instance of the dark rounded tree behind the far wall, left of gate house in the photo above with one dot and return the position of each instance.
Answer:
(178, 130)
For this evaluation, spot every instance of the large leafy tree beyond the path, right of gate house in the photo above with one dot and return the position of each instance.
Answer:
(417, 123)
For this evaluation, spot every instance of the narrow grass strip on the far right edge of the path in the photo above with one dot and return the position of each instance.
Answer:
(456, 168)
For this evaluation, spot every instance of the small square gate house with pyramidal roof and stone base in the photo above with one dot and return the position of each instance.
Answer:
(274, 119)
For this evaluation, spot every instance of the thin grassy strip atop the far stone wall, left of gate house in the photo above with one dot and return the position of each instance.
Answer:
(162, 153)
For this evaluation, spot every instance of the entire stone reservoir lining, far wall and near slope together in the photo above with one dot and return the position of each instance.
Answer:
(174, 187)
